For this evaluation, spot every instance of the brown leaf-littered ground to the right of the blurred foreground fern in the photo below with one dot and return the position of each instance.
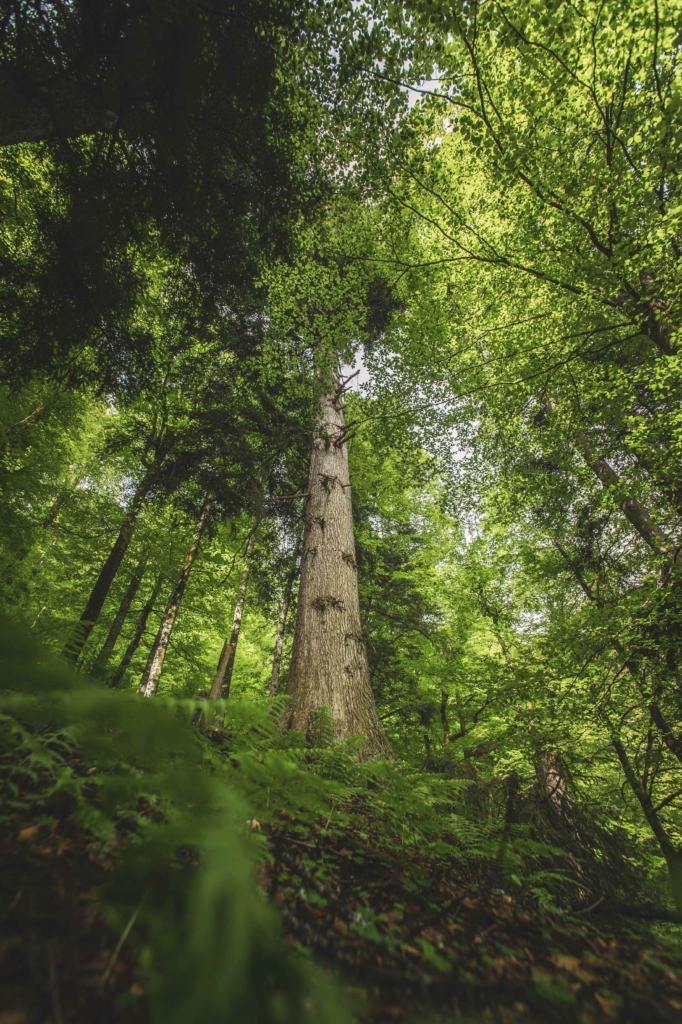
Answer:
(424, 942)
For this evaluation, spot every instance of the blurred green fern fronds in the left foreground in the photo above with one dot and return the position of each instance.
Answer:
(209, 945)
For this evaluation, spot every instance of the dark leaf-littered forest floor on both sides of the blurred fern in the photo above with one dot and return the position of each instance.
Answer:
(409, 940)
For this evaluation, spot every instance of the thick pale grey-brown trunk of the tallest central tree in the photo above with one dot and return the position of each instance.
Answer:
(329, 667)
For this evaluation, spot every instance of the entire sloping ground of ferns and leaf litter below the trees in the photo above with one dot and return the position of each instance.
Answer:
(400, 895)
